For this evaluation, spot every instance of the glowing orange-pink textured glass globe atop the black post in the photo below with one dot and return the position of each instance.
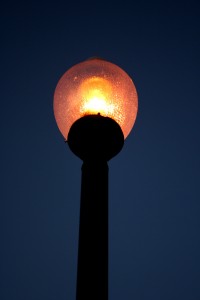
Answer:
(95, 86)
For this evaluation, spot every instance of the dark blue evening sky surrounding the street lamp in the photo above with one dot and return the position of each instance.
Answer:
(154, 183)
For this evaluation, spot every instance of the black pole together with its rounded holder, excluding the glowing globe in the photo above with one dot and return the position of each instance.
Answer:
(95, 139)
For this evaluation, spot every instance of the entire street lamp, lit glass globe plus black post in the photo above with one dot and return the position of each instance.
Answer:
(95, 106)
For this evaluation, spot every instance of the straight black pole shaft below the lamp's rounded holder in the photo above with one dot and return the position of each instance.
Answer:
(92, 276)
